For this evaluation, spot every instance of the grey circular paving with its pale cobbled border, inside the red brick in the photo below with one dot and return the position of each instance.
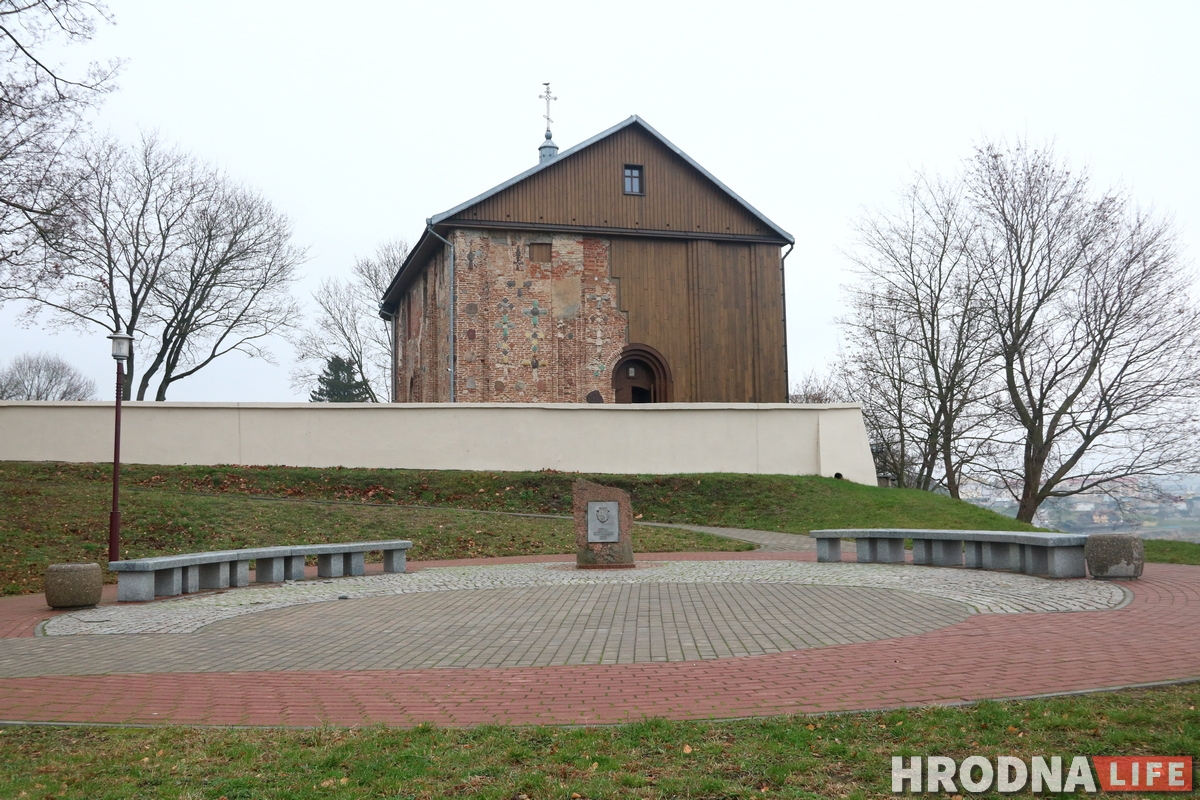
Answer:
(536, 616)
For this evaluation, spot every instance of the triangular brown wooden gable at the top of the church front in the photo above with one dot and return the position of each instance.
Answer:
(586, 190)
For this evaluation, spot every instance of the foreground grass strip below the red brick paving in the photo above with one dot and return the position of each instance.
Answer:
(845, 756)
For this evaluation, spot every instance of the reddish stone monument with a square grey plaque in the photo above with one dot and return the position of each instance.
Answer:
(604, 528)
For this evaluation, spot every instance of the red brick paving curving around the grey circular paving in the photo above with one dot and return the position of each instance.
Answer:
(1153, 640)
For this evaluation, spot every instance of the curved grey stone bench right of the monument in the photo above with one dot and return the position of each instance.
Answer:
(1058, 556)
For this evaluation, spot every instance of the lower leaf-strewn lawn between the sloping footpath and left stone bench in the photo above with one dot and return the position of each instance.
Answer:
(56, 515)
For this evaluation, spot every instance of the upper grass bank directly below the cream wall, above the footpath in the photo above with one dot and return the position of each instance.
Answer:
(763, 502)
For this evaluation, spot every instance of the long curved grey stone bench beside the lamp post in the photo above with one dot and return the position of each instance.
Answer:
(166, 576)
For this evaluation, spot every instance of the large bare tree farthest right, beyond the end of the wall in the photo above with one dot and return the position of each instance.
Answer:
(1095, 327)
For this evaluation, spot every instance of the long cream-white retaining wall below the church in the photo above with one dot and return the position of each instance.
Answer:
(647, 440)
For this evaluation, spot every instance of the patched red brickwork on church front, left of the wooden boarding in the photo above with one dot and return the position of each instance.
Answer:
(535, 332)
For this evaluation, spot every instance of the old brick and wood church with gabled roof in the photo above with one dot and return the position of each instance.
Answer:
(616, 272)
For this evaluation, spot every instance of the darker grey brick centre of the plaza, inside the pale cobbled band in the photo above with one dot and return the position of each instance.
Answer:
(545, 627)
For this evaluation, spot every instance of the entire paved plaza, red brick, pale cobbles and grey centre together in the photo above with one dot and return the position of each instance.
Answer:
(535, 641)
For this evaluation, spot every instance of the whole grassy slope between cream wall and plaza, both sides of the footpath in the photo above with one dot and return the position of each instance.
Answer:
(59, 513)
